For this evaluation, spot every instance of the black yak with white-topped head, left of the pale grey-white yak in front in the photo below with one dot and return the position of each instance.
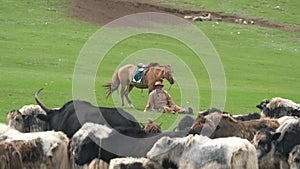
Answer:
(109, 144)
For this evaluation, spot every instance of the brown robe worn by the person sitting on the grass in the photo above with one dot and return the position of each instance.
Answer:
(158, 99)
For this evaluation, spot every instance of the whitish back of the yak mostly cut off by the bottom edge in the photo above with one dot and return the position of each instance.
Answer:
(133, 163)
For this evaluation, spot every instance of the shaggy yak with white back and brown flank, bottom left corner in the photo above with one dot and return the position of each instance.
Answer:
(40, 149)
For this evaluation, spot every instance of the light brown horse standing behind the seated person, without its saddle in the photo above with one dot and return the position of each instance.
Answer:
(125, 74)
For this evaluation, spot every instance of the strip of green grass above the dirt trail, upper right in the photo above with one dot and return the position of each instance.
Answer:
(282, 12)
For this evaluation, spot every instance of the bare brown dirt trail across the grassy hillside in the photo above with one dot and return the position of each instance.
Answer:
(104, 11)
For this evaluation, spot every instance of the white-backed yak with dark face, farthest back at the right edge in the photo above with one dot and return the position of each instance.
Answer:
(279, 107)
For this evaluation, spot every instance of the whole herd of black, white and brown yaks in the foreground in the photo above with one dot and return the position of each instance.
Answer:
(80, 135)
